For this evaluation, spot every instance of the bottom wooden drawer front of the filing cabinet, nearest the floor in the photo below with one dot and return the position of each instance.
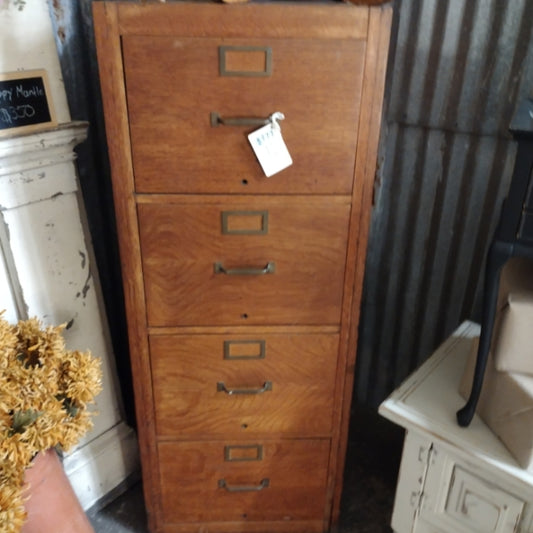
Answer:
(206, 481)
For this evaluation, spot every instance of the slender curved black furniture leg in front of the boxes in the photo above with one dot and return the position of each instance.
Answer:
(495, 261)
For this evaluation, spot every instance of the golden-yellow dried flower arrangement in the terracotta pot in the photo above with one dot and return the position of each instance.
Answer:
(45, 390)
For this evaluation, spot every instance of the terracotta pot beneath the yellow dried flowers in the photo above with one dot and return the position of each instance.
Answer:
(51, 503)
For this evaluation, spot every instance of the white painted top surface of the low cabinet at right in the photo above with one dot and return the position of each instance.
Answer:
(427, 401)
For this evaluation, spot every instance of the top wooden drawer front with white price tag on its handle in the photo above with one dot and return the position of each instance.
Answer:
(176, 149)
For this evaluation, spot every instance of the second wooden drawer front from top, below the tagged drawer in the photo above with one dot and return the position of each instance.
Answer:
(275, 263)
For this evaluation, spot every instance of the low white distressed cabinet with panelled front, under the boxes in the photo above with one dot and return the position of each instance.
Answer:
(453, 479)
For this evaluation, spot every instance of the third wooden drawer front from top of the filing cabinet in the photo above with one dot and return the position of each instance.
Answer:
(241, 384)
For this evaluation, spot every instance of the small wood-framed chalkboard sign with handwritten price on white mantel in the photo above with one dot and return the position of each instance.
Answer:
(25, 105)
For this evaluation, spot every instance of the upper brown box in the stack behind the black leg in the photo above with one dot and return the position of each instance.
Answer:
(512, 341)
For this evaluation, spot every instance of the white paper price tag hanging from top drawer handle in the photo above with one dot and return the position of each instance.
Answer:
(270, 148)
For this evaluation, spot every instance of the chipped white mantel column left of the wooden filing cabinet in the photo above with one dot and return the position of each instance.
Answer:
(46, 264)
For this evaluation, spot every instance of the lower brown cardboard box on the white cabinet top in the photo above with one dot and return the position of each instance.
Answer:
(506, 406)
